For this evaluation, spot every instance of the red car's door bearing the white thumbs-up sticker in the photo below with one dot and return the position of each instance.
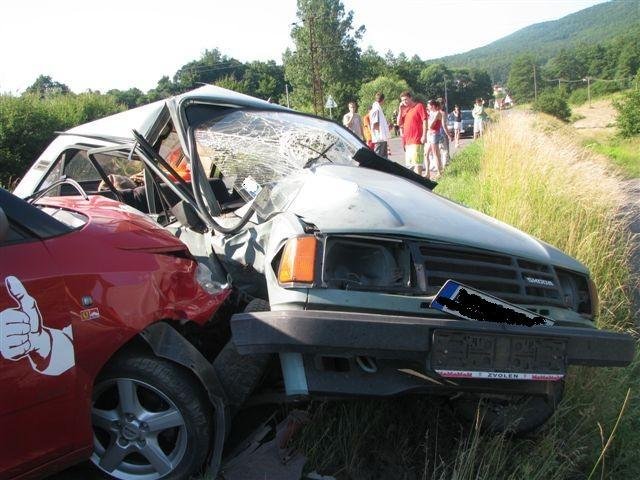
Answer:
(38, 396)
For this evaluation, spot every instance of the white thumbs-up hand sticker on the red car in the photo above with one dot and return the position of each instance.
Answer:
(24, 334)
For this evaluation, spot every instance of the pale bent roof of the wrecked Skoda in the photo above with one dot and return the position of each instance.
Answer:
(143, 118)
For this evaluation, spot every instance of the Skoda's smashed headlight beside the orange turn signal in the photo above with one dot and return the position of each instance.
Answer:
(353, 263)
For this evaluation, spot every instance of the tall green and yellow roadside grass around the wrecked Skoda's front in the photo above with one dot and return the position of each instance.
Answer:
(551, 187)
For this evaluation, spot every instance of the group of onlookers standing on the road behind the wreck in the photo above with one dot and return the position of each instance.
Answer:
(418, 126)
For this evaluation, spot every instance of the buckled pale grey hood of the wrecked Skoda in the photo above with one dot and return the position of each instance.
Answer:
(343, 199)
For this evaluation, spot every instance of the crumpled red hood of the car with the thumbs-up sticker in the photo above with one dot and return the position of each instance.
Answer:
(126, 227)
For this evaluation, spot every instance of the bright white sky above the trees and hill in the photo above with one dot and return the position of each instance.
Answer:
(100, 45)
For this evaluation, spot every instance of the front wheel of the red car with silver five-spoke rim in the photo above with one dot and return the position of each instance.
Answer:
(150, 420)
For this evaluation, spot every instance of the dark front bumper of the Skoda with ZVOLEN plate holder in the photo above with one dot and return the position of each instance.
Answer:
(346, 353)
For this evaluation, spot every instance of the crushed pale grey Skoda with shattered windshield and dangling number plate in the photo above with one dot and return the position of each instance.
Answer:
(355, 277)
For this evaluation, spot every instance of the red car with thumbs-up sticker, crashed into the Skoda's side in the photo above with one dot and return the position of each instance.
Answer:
(96, 302)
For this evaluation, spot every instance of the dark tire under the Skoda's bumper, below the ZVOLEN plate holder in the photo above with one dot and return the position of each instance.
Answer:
(513, 415)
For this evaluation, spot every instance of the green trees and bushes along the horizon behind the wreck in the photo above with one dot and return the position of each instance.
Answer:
(326, 60)
